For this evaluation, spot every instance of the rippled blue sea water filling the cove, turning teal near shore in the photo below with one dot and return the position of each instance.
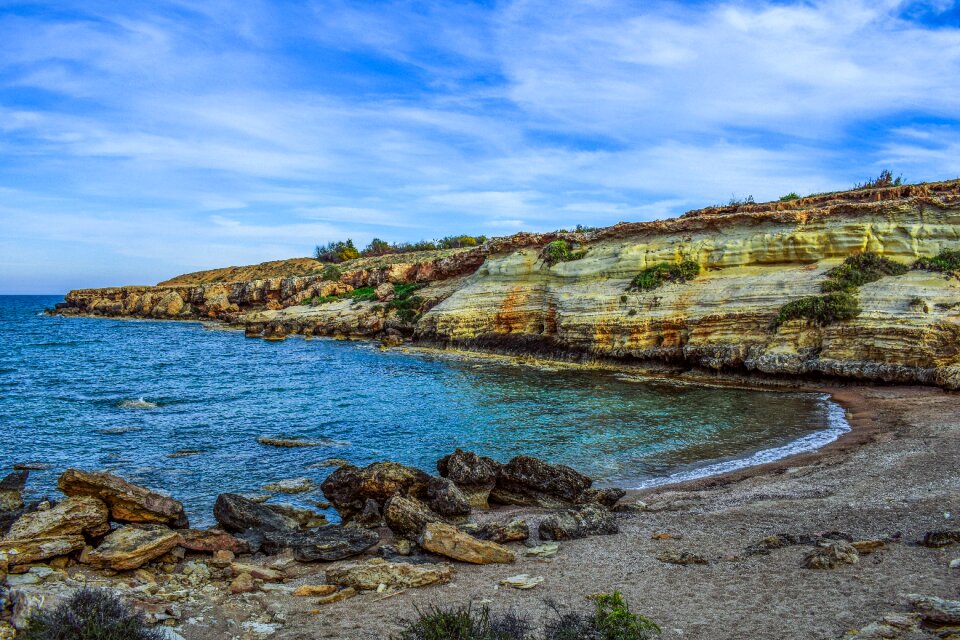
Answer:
(69, 385)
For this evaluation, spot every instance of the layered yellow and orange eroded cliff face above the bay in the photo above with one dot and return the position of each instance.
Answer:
(753, 261)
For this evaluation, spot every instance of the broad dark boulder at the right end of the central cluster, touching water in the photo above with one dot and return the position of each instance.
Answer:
(530, 481)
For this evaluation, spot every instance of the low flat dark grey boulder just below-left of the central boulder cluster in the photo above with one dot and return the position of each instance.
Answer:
(333, 542)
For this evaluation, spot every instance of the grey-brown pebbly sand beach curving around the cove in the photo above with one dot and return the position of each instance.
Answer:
(895, 475)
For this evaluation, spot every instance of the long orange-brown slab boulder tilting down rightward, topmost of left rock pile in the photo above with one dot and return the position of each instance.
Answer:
(127, 502)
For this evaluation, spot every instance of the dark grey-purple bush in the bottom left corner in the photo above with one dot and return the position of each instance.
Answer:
(90, 614)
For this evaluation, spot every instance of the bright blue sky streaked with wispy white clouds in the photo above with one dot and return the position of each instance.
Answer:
(139, 140)
